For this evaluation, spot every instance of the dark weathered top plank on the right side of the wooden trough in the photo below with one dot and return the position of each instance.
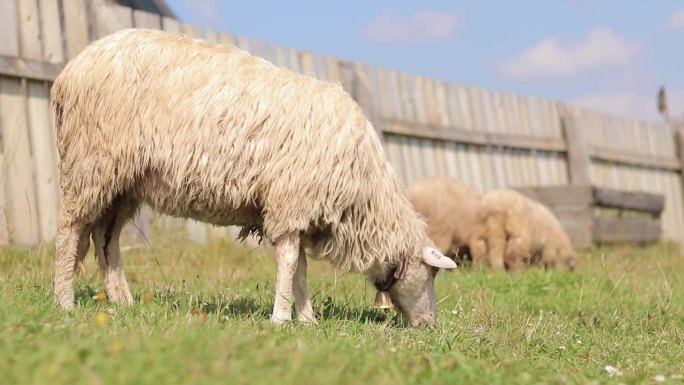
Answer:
(629, 200)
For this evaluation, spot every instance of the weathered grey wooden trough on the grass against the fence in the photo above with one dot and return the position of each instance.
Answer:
(602, 215)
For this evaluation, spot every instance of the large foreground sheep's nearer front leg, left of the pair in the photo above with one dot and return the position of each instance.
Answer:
(287, 255)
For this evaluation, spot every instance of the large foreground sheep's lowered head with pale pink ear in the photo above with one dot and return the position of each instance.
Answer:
(411, 286)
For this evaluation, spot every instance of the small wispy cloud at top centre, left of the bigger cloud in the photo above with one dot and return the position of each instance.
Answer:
(390, 27)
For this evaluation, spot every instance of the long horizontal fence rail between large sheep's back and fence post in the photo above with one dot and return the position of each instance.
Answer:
(457, 134)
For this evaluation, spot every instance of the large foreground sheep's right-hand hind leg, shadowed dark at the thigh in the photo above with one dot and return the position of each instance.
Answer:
(106, 240)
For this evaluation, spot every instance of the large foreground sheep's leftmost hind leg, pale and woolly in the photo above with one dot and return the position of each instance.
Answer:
(67, 248)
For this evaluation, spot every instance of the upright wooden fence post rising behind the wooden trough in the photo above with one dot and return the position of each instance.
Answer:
(579, 156)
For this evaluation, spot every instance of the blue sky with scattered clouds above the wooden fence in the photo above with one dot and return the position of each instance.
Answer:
(608, 55)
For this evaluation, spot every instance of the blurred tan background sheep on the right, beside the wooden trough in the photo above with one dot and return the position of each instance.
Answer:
(519, 231)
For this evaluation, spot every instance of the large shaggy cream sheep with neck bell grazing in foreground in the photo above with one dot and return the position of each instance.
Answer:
(205, 131)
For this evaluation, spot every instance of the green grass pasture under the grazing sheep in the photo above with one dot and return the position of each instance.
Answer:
(201, 317)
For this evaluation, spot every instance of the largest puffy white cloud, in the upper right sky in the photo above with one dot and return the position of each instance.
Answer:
(600, 49)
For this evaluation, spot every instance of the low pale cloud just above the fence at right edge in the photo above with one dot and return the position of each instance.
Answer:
(641, 105)
